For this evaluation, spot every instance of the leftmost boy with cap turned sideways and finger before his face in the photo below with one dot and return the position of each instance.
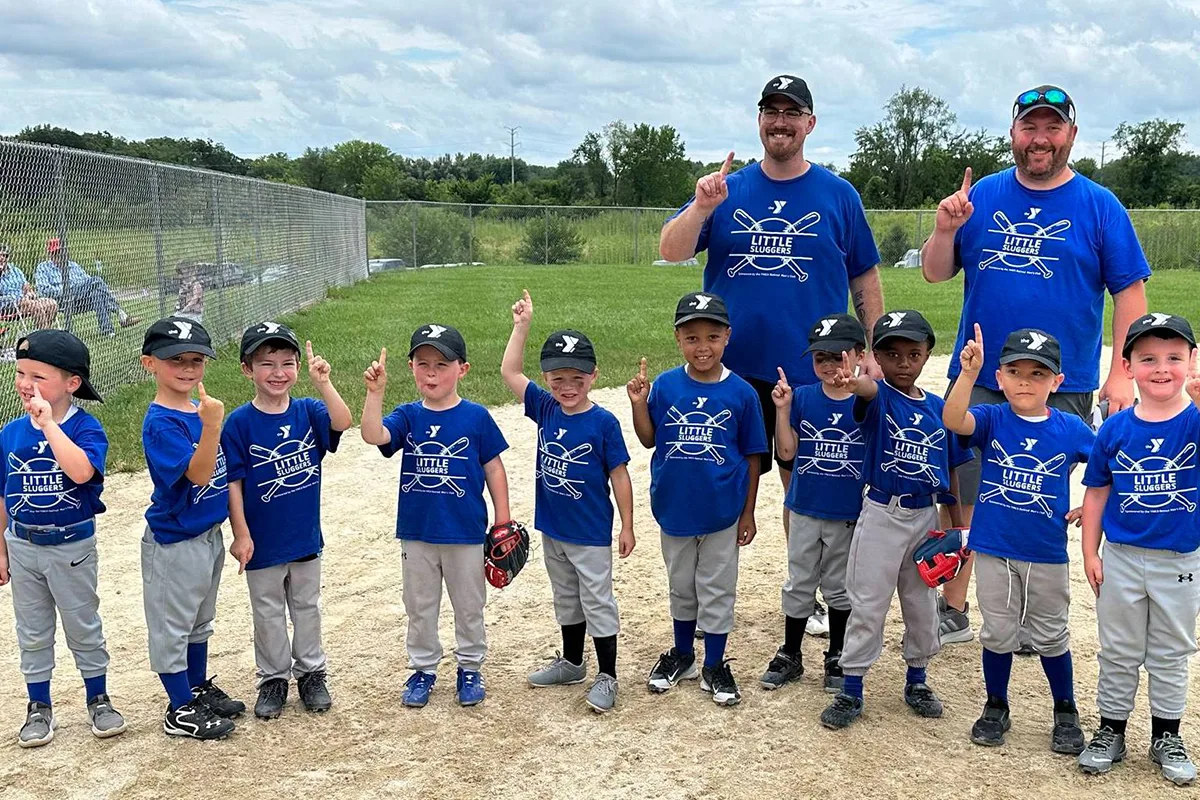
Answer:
(53, 466)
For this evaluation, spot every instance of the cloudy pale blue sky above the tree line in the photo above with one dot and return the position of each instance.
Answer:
(435, 76)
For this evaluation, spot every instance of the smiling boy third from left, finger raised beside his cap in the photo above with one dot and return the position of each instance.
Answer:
(274, 448)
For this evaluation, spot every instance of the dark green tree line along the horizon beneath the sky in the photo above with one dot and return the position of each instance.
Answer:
(911, 158)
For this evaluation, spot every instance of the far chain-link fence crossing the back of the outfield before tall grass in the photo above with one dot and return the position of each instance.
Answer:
(411, 234)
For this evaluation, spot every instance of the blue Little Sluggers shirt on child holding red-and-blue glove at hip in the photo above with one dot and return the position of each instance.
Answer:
(909, 450)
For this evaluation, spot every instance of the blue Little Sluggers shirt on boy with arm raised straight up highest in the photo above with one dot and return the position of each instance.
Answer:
(575, 455)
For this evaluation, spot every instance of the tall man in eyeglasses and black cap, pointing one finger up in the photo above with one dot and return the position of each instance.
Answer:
(788, 242)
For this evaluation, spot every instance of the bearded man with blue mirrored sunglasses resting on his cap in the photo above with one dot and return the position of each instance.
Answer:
(1040, 245)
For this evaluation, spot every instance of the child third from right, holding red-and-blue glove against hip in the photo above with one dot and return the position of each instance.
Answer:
(909, 465)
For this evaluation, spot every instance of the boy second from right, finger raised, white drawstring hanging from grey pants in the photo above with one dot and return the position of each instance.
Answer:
(1019, 530)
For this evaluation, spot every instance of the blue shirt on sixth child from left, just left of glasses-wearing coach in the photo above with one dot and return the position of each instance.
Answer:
(703, 436)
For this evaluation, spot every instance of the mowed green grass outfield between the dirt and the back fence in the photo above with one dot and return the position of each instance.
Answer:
(626, 310)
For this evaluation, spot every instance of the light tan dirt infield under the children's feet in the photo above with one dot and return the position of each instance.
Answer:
(539, 743)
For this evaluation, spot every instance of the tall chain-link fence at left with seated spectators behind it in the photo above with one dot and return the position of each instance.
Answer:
(104, 245)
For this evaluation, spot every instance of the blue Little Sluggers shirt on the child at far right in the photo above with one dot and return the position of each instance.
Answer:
(1153, 471)
